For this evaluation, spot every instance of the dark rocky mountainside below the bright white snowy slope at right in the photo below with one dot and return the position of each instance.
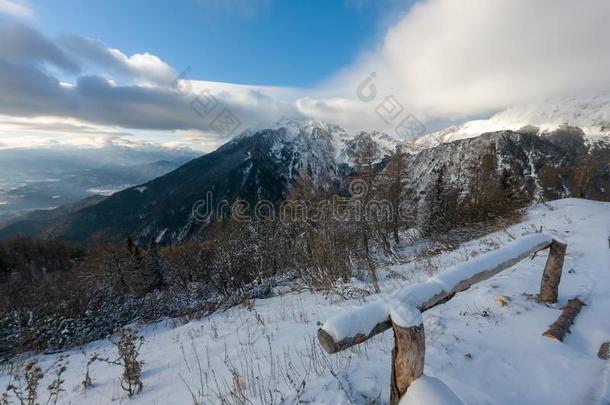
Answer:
(555, 165)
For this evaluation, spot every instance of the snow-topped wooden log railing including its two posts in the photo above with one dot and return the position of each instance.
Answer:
(402, 309)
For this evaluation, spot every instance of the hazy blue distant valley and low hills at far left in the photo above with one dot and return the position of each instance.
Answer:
(51, 176)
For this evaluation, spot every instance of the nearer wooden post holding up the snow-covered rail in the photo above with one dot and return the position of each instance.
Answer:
(407, 359)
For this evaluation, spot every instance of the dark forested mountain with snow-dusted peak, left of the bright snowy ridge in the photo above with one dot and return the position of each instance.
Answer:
(262, 164)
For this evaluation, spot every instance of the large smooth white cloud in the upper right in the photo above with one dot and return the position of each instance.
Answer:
(453, 58)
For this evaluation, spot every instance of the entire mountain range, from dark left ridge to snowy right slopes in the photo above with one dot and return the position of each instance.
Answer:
(553, 162)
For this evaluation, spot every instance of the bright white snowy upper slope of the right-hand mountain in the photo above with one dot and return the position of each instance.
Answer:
(591, 114)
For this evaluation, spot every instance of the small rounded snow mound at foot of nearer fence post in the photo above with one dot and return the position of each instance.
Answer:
(429, 391)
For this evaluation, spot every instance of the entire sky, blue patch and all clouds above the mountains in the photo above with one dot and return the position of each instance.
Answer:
(194, 73)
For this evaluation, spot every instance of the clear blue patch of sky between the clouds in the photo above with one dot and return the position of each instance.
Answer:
(294, 43)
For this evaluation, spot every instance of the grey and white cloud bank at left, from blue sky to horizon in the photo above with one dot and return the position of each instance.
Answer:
(102, 90)
